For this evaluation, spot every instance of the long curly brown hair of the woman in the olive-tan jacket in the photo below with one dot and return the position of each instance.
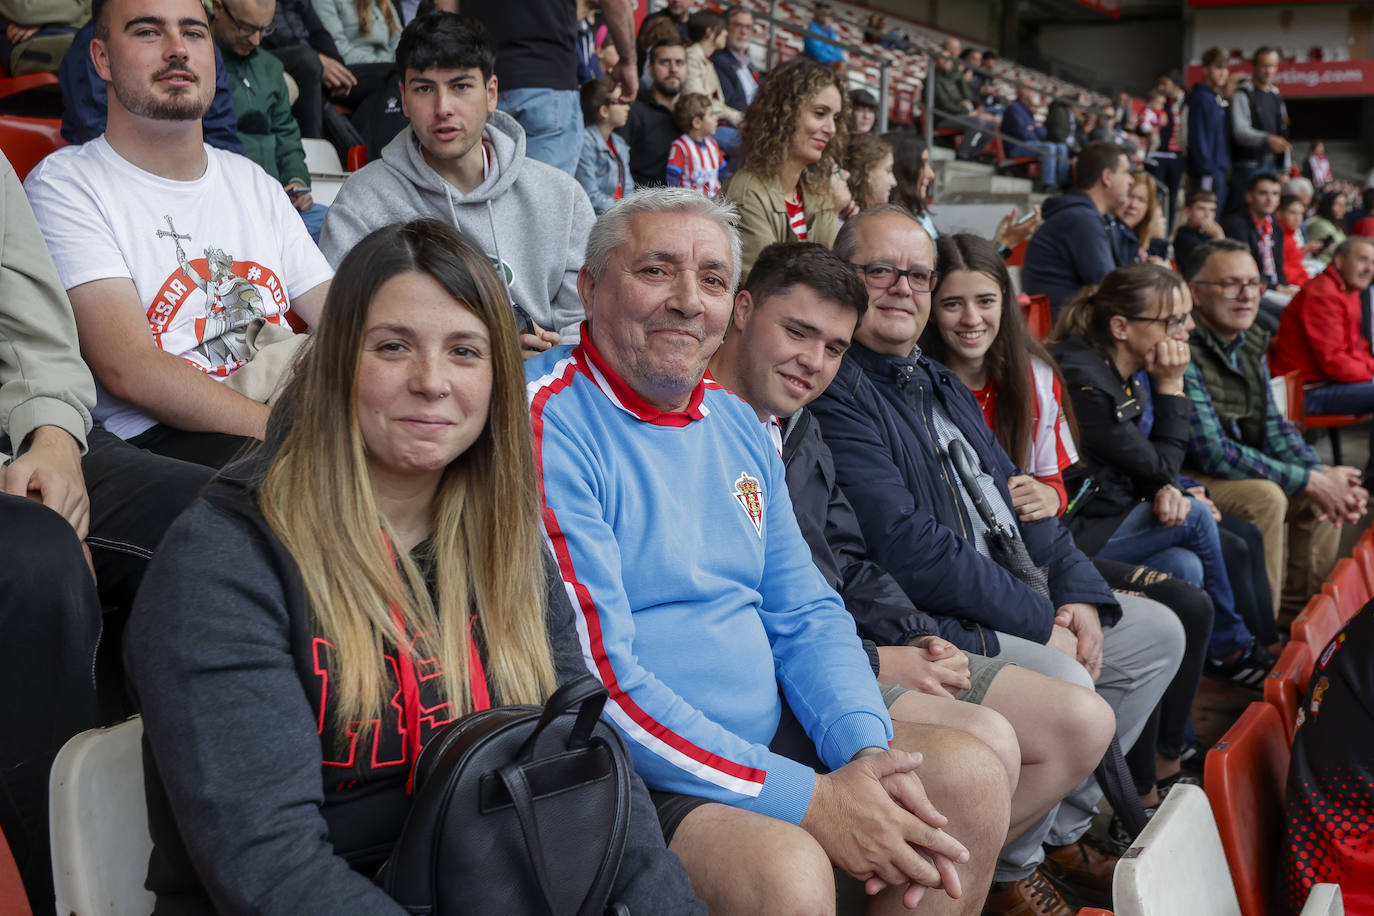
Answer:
(772, 123)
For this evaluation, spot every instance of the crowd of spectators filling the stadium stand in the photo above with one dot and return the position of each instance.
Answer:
(624, 355)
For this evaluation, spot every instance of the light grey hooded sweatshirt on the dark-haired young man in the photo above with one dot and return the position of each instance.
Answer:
(531, 218)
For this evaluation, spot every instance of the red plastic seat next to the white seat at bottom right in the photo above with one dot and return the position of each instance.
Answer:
(1246, 774)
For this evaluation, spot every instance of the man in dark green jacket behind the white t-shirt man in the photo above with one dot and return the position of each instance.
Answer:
(270, 133)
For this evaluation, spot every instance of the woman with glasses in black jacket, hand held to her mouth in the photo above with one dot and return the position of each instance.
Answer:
(1123, 350)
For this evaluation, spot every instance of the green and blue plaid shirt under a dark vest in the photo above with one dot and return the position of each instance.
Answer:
(1284, 458)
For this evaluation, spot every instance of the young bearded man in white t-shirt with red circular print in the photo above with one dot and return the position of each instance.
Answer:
(170, 249)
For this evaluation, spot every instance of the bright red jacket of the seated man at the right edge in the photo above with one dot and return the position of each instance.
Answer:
(1320, 334)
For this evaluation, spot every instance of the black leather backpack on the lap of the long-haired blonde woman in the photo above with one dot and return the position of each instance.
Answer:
(517, 810)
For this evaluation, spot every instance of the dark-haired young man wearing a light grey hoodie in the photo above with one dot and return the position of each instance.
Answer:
(464, 163)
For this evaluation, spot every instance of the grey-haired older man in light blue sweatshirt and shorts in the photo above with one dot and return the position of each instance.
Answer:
(734, 669)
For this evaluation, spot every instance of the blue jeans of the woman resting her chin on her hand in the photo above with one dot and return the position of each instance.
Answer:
(1192, 553)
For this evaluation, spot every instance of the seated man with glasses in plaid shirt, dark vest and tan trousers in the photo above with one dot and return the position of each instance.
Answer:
(1252, 461)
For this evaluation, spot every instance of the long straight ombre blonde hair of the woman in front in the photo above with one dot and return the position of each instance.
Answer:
(487, 546)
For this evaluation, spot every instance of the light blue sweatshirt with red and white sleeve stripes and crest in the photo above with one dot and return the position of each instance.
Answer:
(695, 594)
